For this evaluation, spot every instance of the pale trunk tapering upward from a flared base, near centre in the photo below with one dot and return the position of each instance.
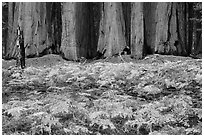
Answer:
(112, 29)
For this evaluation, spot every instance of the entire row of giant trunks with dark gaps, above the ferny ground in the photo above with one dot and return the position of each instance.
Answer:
(90, 29)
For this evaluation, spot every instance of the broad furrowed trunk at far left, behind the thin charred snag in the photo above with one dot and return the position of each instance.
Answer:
(35, 21)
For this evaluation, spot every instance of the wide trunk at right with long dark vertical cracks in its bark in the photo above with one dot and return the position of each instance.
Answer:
(170, 29)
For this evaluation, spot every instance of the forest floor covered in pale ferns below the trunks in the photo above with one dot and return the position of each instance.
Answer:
(157, 95)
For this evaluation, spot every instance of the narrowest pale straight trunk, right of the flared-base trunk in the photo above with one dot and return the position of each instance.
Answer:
(137, 30)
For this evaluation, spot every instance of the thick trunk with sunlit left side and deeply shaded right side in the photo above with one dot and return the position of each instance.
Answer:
(76, 31)
